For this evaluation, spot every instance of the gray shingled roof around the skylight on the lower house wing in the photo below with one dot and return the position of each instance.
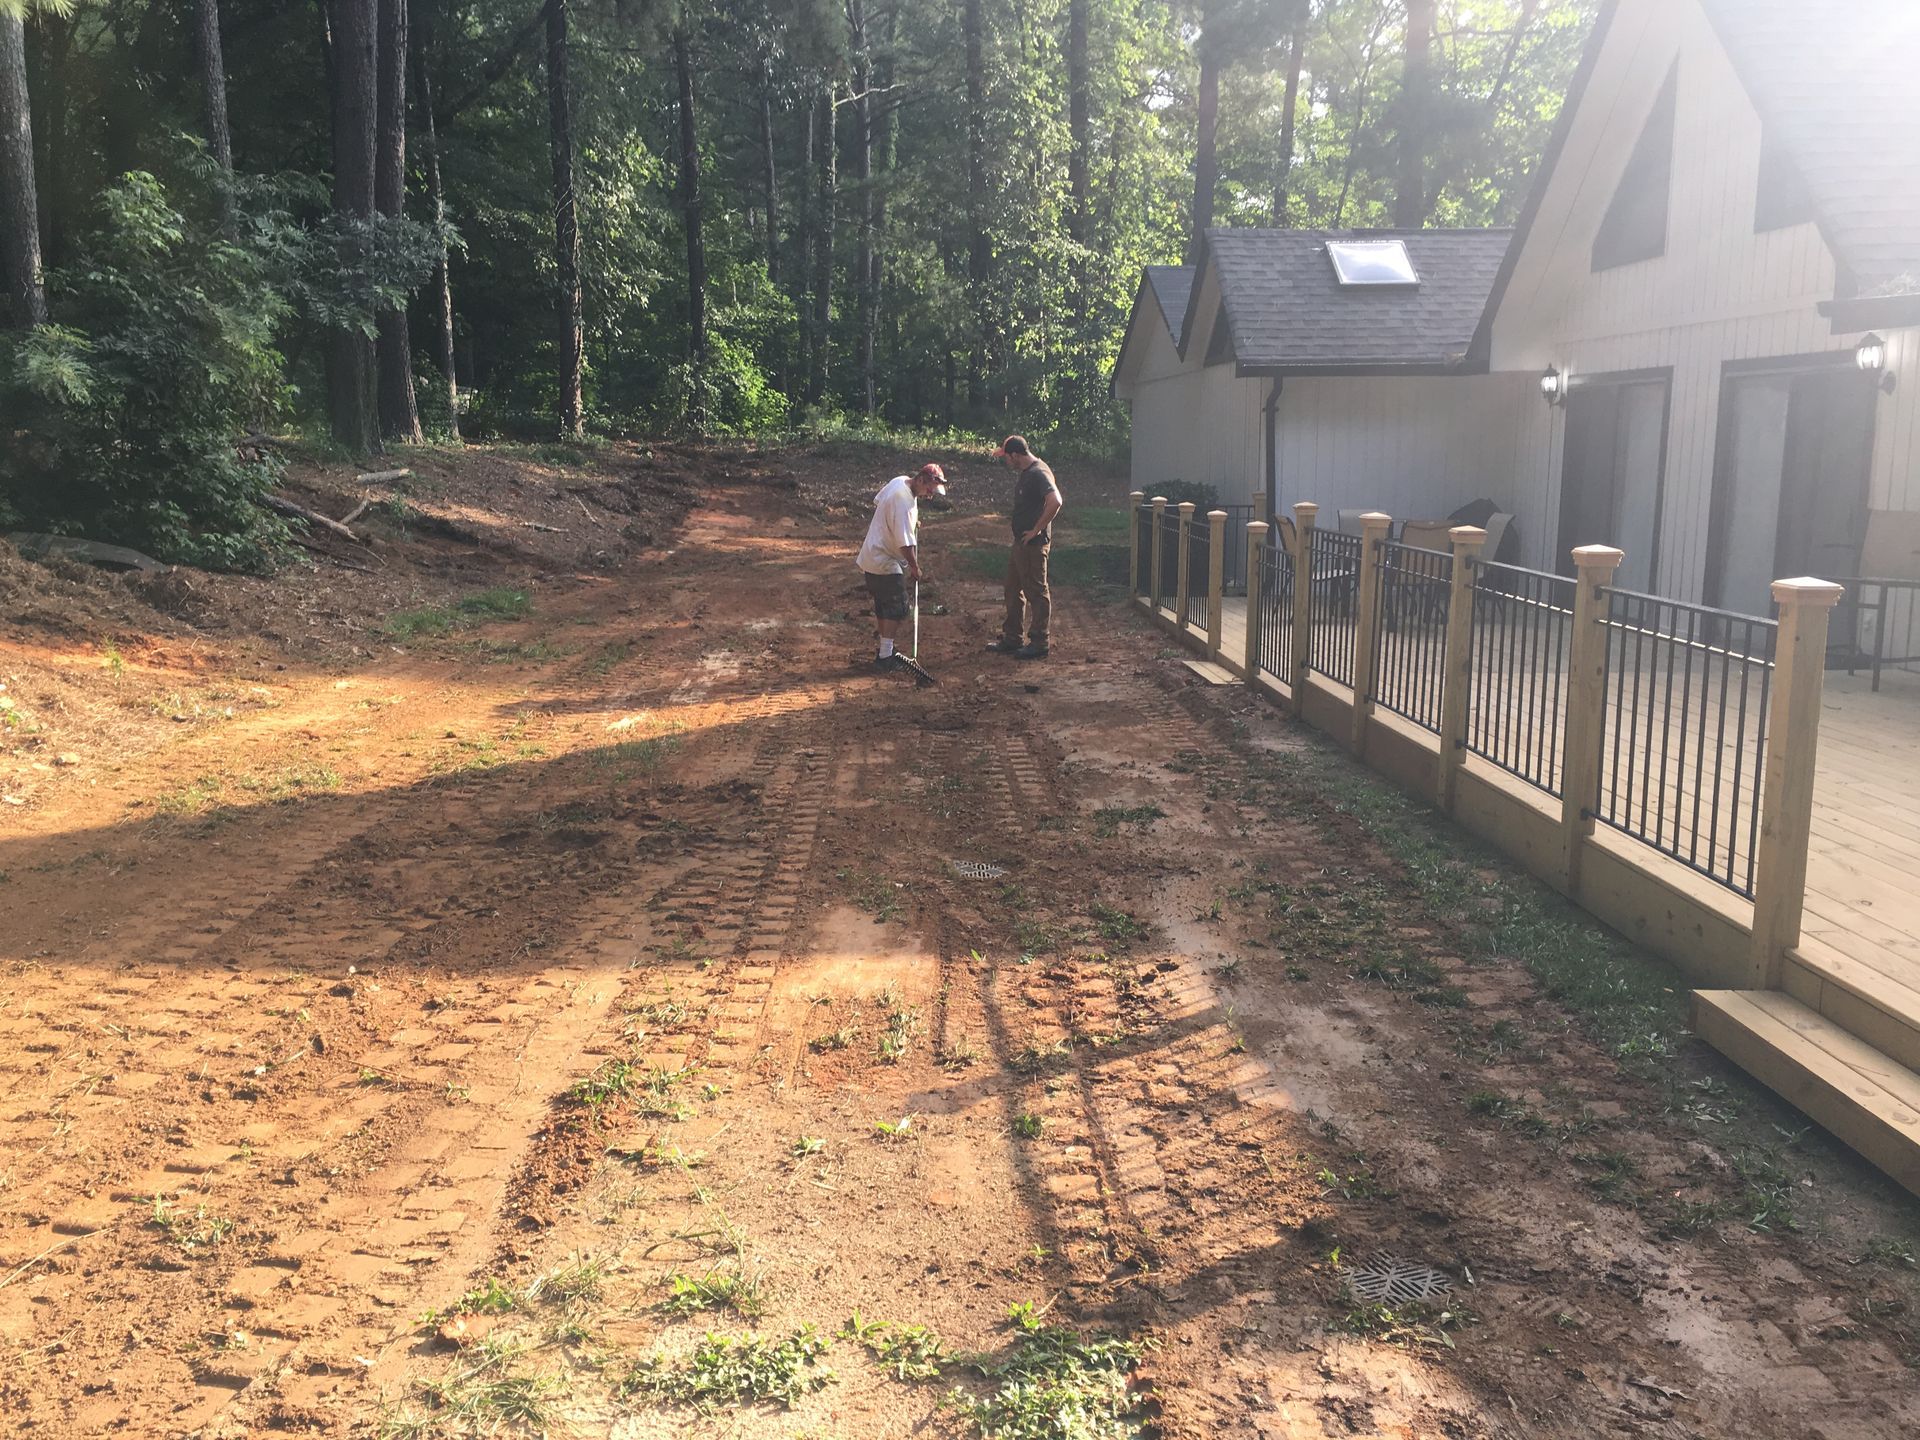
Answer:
(1289, 312)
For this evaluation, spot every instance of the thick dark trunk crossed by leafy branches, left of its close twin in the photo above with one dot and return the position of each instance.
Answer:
(352, 28)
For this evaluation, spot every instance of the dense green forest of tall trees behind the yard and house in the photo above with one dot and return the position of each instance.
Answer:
(385, 220)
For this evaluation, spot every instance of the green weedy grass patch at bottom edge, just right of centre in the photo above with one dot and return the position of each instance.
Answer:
(1055, 1383)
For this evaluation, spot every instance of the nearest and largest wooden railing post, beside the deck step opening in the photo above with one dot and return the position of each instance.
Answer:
(1787, 788)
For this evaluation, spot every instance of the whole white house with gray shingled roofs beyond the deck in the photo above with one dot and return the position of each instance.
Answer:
(1717, 274)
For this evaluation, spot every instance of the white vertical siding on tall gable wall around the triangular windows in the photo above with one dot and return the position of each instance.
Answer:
(1719, 295)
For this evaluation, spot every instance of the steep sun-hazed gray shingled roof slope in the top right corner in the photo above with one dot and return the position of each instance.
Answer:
(1838, 85)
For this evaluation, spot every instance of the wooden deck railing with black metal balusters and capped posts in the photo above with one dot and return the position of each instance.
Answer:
(1721, 752)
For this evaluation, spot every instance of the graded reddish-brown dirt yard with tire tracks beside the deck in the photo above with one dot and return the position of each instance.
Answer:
(466, 1026)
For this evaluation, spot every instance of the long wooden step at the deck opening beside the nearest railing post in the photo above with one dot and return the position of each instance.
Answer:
(1838, 1080)
